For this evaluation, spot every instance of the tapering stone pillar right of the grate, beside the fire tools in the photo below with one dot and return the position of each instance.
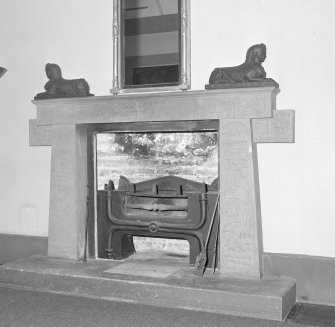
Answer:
(240, 229)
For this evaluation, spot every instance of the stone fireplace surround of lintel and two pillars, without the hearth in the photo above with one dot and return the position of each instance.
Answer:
(245, 116)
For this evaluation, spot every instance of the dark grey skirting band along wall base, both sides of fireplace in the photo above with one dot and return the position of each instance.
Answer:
(314, 275)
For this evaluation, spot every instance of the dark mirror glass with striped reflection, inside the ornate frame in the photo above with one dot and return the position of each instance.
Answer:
(151, 42)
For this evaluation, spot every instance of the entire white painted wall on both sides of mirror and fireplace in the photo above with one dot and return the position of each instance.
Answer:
(297, 180)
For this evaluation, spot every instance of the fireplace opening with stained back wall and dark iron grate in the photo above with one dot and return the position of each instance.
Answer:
(132, 165)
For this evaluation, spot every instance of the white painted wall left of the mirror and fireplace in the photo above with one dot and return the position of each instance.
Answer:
(76, 35)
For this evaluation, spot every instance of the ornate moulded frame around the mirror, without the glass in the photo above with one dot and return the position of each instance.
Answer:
(185, 51)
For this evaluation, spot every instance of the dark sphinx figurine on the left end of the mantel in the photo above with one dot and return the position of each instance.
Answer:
(58, 87)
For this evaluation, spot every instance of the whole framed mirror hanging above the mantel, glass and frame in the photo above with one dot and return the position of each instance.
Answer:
(151, 43)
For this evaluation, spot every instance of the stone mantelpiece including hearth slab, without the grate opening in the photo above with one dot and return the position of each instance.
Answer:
(244, 117)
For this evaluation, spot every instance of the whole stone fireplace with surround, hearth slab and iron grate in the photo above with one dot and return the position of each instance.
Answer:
(166, 205)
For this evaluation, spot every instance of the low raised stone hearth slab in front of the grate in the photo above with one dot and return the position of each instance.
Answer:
(269, 298)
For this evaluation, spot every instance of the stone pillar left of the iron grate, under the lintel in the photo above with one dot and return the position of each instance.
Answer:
(68, 191)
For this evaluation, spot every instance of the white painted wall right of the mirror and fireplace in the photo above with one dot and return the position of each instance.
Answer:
(297, 180)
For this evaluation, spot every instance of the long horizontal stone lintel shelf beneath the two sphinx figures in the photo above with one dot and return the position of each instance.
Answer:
(166, 106)
